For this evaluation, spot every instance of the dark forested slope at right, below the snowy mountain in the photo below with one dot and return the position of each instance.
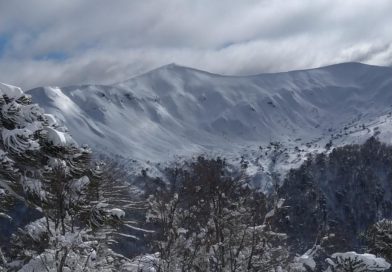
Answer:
(338, 195)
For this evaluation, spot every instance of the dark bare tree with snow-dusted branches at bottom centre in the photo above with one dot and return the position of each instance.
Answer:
(209, 219)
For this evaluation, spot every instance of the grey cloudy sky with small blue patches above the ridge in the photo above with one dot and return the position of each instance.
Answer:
(66, 42)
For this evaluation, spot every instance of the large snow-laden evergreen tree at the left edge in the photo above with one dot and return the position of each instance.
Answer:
(45, 168)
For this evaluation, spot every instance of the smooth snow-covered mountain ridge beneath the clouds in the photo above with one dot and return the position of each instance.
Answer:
(176, 110)
